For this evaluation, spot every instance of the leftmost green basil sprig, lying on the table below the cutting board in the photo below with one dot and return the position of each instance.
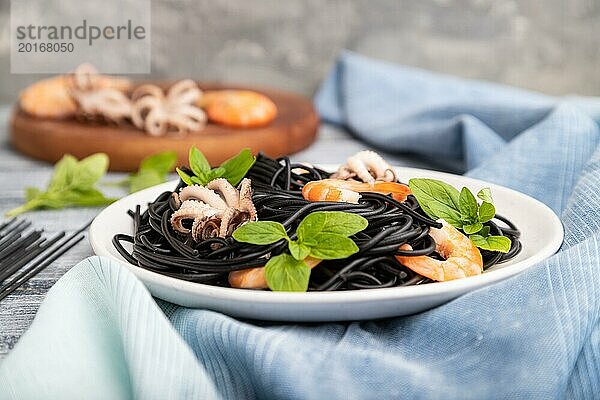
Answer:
(72, 184)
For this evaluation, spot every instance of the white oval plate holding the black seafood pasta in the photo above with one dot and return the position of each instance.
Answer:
(542, 235)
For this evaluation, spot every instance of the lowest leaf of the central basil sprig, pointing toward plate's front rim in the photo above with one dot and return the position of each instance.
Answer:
(286, 274)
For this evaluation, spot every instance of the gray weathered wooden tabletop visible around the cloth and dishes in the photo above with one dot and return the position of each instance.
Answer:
(17, 171)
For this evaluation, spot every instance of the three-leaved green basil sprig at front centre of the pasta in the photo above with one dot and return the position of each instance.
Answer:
(322, 235)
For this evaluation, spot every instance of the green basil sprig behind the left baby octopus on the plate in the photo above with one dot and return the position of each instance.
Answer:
(233, 169)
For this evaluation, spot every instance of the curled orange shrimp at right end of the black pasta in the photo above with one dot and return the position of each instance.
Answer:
(462, 258)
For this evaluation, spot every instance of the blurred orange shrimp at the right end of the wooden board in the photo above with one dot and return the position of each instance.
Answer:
(238, 108)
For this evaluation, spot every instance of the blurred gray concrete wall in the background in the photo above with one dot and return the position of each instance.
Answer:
(549, 45)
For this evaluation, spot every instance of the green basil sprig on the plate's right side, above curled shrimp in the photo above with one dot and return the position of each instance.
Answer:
(461, 210)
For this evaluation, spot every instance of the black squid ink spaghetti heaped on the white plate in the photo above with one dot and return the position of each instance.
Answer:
(277, 196)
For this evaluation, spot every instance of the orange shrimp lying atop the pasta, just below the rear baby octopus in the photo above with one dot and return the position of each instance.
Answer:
(348, 191)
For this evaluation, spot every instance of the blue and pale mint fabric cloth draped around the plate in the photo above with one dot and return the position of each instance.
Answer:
(99, 334)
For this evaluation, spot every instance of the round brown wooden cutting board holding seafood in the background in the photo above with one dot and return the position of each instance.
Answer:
(294, 128)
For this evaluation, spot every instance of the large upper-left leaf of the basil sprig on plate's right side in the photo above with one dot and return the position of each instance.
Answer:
(436, 196)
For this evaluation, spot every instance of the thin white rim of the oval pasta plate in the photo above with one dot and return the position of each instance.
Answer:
(348, 297)
